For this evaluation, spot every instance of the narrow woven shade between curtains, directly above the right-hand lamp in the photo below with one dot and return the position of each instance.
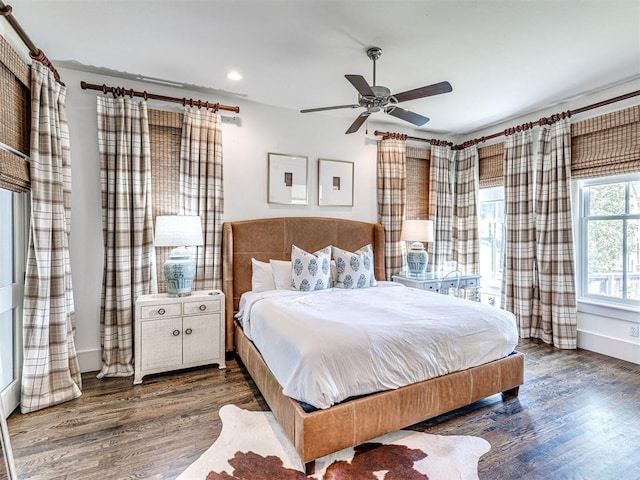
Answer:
(417, 183)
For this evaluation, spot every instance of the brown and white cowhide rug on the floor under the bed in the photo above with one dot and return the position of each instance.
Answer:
(253, 446)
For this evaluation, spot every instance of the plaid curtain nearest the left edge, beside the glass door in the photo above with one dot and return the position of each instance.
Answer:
(51, 373)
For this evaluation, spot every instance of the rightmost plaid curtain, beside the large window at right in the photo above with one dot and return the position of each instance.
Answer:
(555, 310)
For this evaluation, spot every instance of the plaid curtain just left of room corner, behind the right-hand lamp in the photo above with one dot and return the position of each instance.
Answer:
(441, 205)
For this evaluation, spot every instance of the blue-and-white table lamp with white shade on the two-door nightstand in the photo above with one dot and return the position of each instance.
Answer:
(179, 231)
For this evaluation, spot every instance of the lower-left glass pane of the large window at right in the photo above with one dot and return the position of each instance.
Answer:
(604, 258)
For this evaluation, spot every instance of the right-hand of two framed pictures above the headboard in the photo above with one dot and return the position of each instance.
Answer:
(335, 183)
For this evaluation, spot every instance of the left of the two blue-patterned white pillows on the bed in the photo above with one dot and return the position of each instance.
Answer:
(310, 271)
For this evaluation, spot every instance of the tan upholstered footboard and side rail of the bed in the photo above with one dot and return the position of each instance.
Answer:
(350, 423)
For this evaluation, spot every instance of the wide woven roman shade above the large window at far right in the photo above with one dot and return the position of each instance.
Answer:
(606, 145)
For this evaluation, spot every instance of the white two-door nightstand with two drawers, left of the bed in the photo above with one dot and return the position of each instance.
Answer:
(178, 332)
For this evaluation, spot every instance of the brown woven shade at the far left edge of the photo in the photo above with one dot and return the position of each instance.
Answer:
(15, 118)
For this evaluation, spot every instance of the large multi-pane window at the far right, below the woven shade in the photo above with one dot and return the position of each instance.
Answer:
(609, 239)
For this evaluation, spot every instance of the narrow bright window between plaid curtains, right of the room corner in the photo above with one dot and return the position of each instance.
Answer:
(491, 237)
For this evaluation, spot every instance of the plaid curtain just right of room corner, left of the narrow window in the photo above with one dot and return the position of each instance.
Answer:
(465, 225)
